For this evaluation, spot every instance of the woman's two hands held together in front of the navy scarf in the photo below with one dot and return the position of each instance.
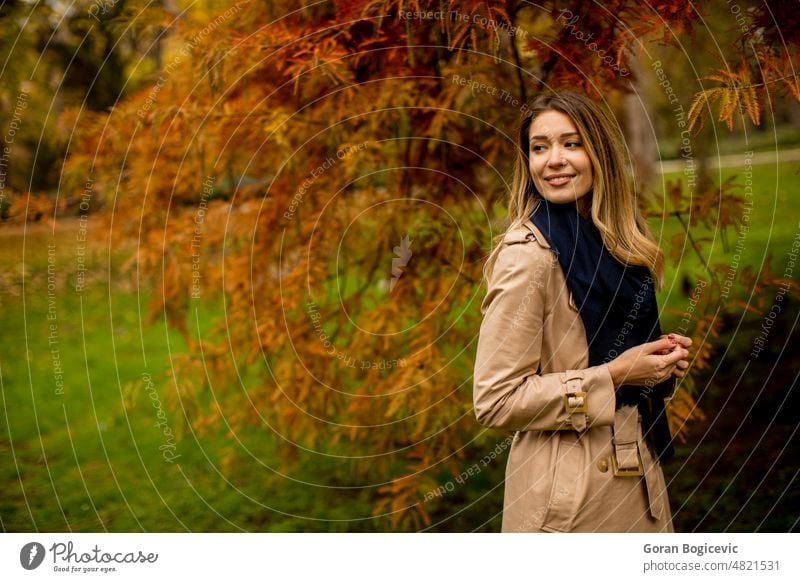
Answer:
(652, 363)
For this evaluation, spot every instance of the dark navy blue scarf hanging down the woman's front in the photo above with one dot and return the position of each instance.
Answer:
(617, 304)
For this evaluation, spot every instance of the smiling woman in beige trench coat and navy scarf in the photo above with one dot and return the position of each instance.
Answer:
(570, 357)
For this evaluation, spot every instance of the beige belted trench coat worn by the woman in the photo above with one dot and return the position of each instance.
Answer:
(559, 474)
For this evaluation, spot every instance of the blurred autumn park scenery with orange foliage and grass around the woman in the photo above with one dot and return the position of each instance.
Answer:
(241, 248)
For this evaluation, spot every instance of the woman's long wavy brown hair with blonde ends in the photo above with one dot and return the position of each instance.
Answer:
(615, 211)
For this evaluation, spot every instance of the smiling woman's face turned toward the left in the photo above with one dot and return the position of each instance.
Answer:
(559, 164)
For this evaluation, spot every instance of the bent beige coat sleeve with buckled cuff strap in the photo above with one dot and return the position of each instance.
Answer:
(508, 390)
